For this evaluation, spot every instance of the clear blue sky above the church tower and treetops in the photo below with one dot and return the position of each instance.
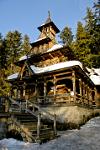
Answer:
(26, 15)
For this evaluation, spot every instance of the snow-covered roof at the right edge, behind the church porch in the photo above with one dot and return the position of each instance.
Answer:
(94, 75)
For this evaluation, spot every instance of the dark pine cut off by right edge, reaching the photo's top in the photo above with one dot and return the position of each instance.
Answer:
(96, 35)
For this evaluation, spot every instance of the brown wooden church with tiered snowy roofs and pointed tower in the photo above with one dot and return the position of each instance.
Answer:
(50, 74)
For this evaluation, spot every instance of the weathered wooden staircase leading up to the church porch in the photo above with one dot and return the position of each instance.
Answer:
(32, 124)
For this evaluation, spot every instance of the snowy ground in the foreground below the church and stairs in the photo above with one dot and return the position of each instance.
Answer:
(87, 138)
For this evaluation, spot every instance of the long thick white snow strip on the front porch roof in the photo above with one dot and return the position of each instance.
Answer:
(57, 66)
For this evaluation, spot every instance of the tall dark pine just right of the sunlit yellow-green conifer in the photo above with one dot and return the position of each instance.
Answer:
(93, 30)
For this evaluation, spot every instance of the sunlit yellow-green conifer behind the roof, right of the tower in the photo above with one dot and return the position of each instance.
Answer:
(81, 45)
